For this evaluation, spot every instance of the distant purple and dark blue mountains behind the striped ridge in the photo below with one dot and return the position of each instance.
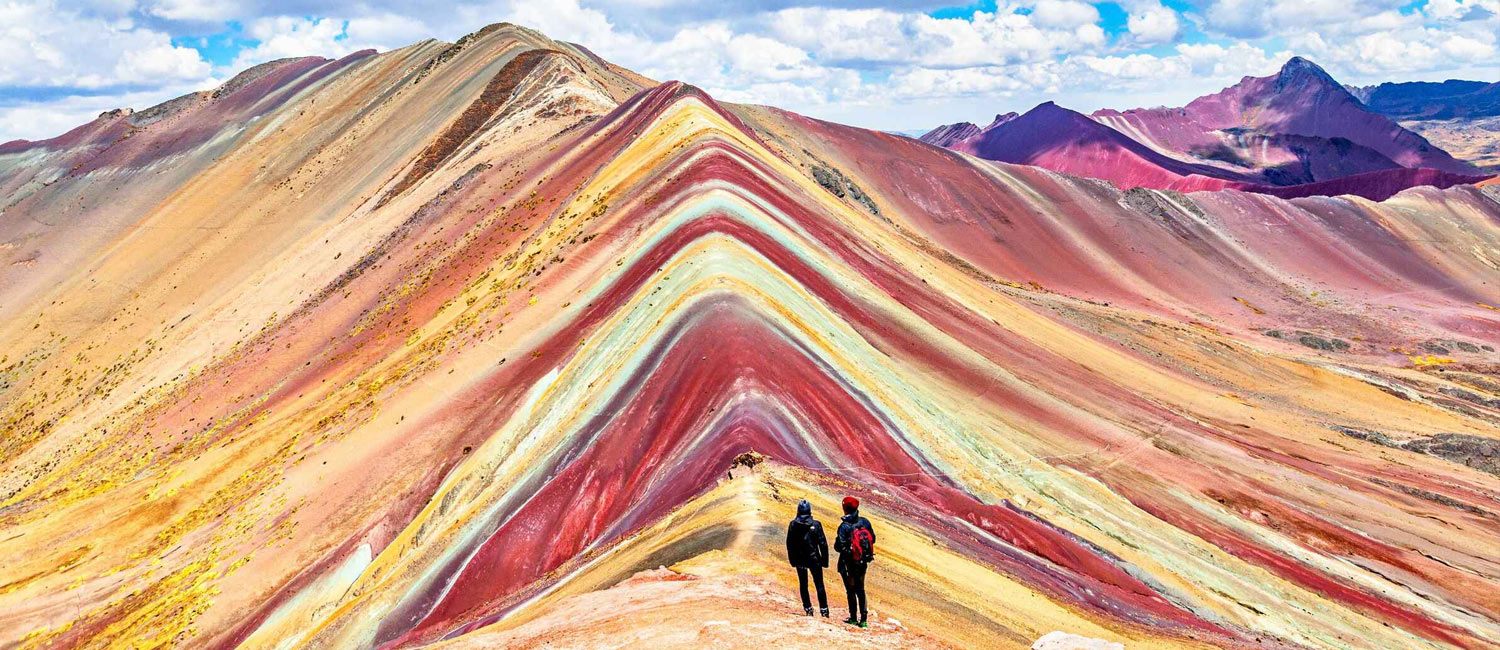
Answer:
(1289, 134)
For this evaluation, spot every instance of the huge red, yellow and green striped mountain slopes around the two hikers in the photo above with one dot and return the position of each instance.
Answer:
(496, 345)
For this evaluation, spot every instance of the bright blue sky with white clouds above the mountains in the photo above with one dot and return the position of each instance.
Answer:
(898, 65)
